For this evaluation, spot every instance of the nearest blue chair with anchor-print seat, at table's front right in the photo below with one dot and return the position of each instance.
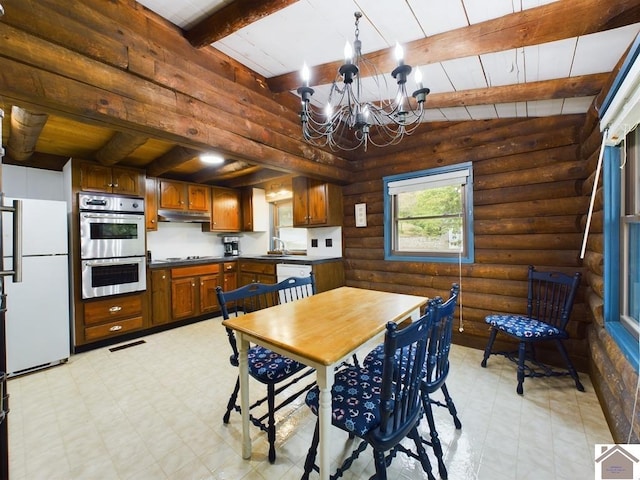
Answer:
(381, 407)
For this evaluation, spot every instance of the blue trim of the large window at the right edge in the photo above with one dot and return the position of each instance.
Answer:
(611, 308)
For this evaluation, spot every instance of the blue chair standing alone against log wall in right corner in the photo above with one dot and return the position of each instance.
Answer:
(550, 298)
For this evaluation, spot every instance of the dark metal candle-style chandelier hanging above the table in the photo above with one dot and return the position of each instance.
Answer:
(360, 110)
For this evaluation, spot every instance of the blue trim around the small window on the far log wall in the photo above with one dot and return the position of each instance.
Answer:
(388, 221)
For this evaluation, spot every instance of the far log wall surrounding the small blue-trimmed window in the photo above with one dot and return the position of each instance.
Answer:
(528, 210)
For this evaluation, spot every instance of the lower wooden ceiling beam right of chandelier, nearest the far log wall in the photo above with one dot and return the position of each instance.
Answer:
(582, 86)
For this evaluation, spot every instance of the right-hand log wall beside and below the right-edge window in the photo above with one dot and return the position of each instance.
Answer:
(613, 377)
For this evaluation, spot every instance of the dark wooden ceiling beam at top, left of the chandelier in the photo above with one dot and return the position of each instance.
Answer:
(231, 18)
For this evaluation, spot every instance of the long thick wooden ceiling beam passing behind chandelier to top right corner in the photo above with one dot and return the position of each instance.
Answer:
(547, 23)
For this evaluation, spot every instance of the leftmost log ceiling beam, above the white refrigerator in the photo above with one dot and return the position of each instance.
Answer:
(25, 130)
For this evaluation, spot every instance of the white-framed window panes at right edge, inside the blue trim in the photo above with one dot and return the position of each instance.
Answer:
(630, 235)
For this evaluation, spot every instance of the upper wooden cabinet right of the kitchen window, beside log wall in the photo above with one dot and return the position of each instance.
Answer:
(316, 203)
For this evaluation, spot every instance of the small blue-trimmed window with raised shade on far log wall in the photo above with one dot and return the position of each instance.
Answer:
(428, 215)
